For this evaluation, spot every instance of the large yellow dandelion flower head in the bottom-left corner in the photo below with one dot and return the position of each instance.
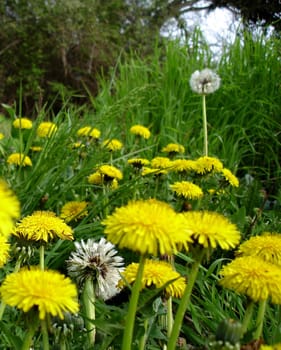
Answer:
(49, 291)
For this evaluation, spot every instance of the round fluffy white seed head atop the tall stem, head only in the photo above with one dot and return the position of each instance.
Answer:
(204, 82)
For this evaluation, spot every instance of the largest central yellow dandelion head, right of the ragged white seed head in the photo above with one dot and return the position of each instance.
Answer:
(147, 226)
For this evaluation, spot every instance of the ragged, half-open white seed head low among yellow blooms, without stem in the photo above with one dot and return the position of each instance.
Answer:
(98, 261)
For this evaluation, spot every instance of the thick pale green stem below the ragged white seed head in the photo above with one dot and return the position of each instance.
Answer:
(88, 297)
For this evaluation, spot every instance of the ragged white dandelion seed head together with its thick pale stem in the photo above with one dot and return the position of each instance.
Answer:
(97, 269)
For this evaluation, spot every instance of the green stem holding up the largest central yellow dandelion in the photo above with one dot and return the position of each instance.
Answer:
(130, 319)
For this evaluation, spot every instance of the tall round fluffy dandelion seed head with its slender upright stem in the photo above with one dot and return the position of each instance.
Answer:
(203, 83)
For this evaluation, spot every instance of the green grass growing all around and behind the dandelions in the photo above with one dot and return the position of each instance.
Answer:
(243, 127)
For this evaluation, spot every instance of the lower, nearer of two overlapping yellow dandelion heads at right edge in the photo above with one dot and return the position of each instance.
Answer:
(254, 277)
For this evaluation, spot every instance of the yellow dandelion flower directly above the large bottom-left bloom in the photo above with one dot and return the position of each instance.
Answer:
(43, 226)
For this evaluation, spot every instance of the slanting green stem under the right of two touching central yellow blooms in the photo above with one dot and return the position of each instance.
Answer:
(172, 342)
